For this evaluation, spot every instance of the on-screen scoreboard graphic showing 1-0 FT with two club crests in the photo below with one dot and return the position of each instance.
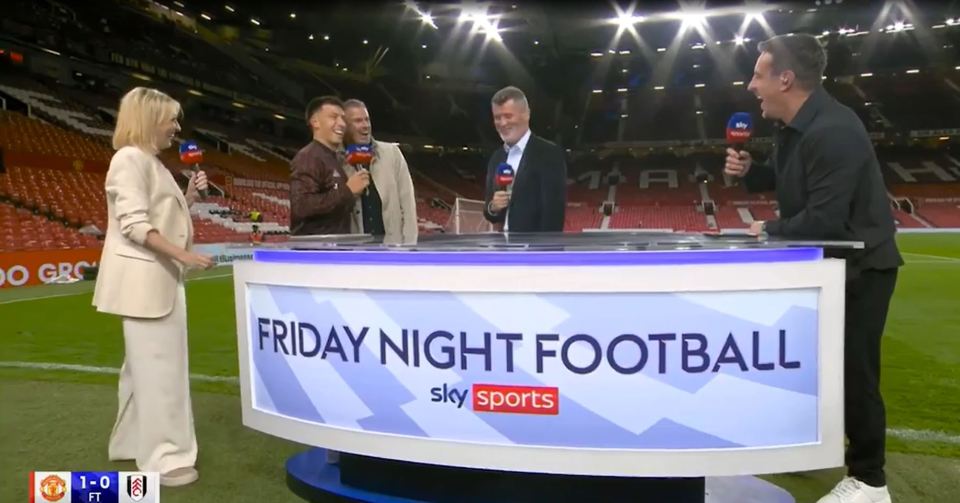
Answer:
(94, 487)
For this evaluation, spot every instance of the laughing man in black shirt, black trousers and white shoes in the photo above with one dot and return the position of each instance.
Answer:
(829, 186)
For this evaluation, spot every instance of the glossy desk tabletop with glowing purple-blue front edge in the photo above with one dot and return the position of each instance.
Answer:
(549, 249)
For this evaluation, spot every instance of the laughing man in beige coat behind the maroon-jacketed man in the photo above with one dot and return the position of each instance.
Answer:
(388, 207)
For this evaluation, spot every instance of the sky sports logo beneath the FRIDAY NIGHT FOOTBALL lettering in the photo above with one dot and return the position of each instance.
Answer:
(505, 399)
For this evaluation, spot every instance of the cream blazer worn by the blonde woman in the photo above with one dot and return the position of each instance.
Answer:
(134, 281)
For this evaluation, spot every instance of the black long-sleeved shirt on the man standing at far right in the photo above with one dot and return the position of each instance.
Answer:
(828, 183)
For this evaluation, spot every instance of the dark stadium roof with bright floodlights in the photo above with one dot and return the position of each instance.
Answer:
(548, 42)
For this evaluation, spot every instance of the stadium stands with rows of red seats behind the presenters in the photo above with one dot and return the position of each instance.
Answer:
(651, 152)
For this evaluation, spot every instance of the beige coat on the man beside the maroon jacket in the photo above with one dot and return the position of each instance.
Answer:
(391, 175)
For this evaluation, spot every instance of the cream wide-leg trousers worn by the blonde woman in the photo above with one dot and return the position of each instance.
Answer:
(155, 418)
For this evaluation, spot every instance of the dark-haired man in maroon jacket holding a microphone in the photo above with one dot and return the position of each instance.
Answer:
(321, 196)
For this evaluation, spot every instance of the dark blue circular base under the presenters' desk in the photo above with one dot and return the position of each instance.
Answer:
(311, 477)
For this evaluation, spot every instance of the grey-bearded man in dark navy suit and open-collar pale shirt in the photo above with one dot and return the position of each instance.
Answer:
(536, 201)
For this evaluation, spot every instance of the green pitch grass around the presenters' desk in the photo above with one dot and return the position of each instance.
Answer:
(60, 420)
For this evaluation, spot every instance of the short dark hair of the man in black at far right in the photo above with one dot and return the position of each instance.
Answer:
(801, 54)
